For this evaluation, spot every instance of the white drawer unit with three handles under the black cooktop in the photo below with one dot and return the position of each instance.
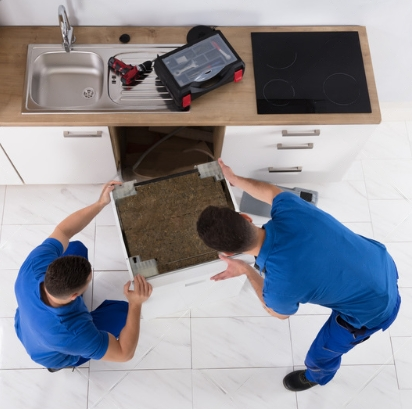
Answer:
(289, 154)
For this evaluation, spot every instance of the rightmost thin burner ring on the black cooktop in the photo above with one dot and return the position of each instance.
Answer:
(341, 89)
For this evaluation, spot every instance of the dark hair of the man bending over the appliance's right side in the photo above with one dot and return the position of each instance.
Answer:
(225, 230)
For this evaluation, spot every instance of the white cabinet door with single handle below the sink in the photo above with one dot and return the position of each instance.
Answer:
(60, 155)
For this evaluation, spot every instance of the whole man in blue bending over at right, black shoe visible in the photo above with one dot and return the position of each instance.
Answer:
(307, 256)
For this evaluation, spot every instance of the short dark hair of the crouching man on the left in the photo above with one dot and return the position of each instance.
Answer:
(67, 275)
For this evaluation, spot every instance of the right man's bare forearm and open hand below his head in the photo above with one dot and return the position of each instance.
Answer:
(238, 267)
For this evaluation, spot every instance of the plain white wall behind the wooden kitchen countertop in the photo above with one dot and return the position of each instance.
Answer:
(388, 24)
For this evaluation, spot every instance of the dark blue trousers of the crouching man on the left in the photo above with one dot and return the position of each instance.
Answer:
(110, 315)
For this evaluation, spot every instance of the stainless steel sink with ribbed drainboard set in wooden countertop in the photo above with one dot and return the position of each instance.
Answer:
(81, 81)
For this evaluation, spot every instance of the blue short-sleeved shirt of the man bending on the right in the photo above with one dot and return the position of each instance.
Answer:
(310, 257)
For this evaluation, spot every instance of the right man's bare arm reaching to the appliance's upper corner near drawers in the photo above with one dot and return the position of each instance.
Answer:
(262, 191)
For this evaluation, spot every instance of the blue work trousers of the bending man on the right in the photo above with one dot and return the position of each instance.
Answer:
(334, 339)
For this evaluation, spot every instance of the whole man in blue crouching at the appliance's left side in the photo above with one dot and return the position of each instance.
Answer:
(52, 321)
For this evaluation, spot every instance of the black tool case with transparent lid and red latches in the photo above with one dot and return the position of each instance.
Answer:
(199, 67)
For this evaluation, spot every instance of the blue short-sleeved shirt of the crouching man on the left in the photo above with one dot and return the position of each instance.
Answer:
(53, 337)
